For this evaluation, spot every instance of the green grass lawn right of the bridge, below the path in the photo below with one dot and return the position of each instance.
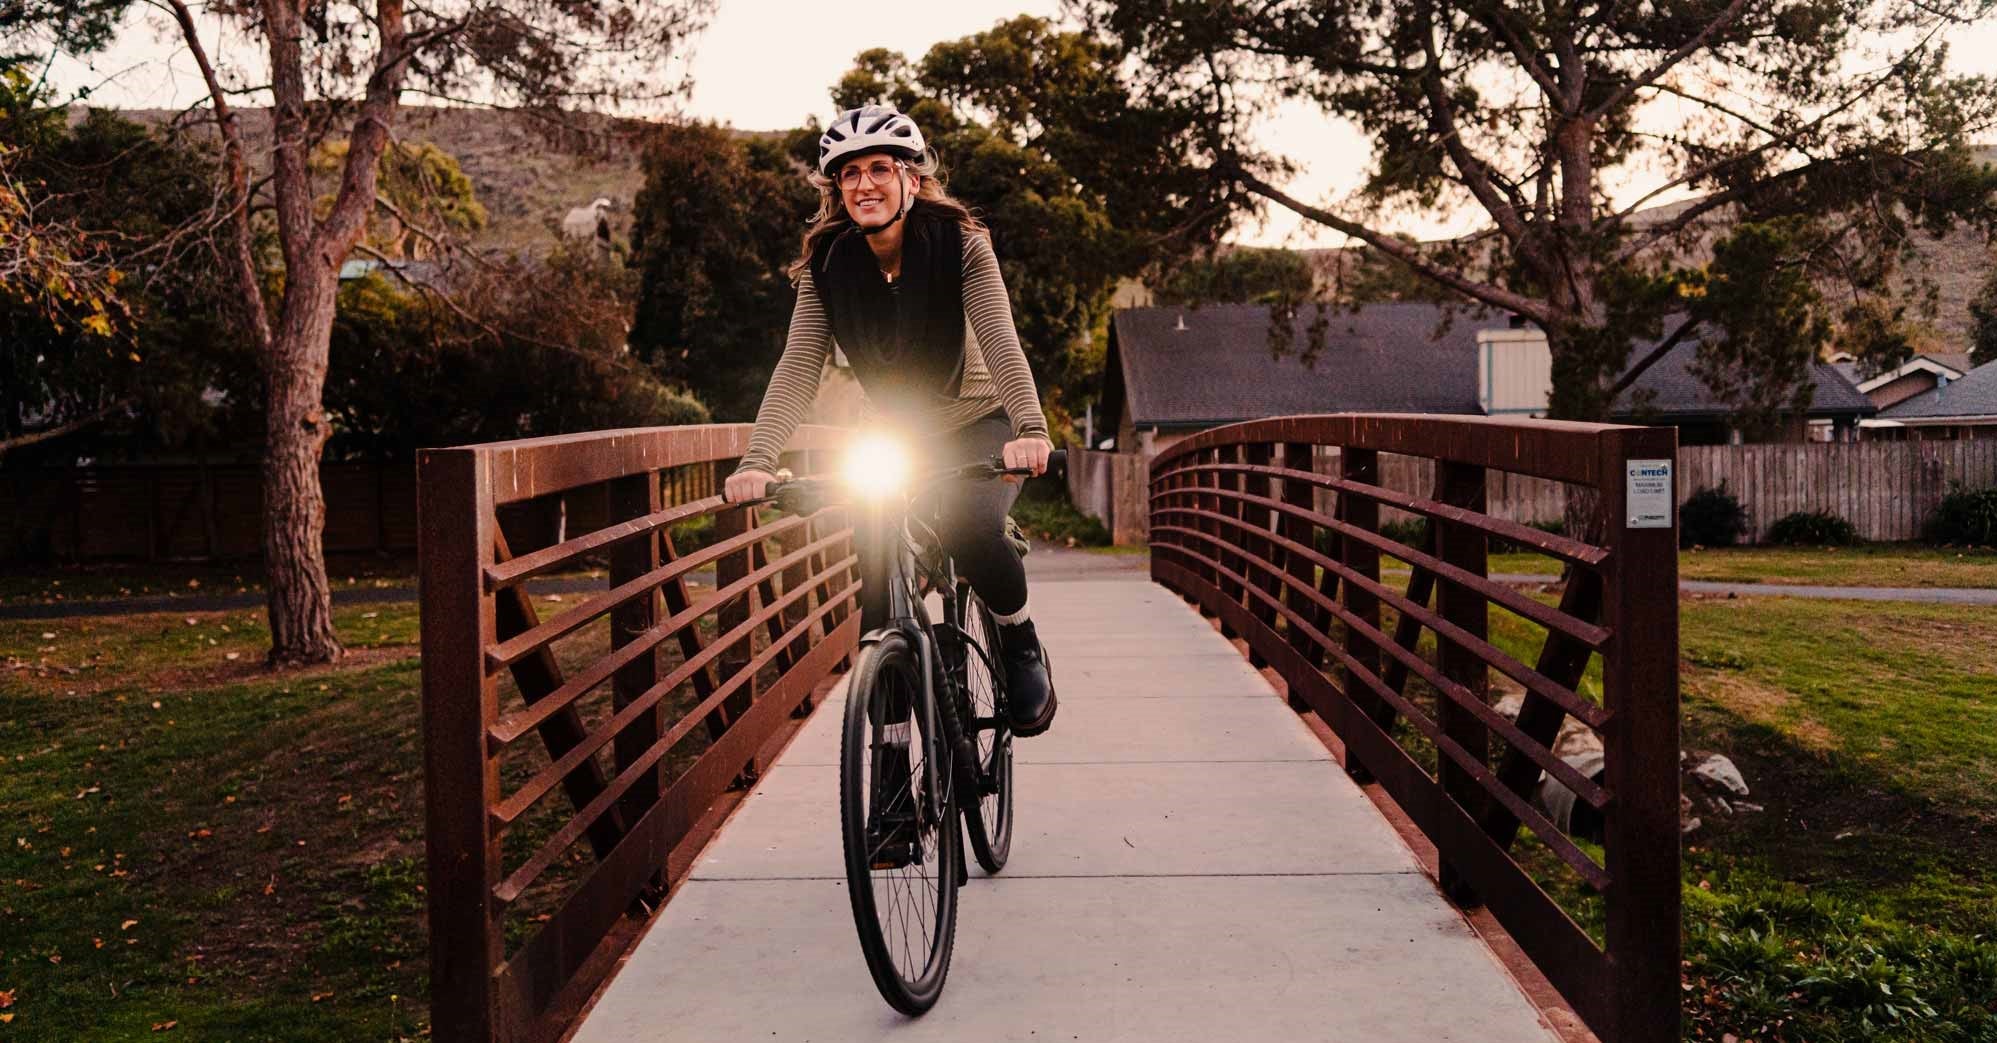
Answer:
(1860, 904)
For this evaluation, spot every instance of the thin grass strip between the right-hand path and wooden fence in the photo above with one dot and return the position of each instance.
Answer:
(1864, 566)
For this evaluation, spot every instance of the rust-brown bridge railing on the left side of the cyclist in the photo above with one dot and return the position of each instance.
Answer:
(650, 698)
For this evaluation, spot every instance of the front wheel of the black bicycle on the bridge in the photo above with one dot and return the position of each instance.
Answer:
(904, 858)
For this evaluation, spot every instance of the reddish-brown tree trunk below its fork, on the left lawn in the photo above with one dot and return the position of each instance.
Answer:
(295, 507)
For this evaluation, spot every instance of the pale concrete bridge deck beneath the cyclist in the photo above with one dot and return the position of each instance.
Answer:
(1189, 864)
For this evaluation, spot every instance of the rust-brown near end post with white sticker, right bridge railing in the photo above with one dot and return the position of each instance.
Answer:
(1641, 740)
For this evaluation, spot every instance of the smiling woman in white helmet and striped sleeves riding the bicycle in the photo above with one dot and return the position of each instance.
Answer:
(906, 281)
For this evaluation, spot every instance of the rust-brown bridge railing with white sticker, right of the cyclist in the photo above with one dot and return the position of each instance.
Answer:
(1237, 528)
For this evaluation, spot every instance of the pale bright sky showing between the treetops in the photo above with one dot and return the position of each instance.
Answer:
(766, 65)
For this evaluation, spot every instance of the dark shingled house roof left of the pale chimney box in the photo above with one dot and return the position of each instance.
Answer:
(1199, 367)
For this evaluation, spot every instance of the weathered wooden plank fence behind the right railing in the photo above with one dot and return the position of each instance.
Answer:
(1884, 489)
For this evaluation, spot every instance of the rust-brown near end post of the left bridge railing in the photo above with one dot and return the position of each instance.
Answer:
(460, 780)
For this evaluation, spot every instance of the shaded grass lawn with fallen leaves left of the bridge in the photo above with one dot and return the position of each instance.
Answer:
(201, 846)
